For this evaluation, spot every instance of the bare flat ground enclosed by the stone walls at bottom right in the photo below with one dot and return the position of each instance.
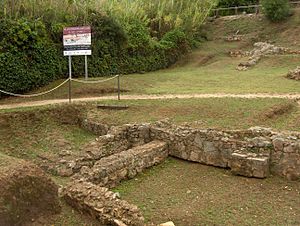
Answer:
(191, 194)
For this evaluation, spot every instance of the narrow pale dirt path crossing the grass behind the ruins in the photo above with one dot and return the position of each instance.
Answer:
(151, 97)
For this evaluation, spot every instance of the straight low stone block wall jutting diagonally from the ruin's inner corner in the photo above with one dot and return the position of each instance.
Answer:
(109, 171)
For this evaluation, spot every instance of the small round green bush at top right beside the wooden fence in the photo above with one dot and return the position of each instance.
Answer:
(276, 10)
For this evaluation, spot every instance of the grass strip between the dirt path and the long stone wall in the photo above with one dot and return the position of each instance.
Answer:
(214, 113)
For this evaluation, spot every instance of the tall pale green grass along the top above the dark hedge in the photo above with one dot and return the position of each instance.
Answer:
(159, 14)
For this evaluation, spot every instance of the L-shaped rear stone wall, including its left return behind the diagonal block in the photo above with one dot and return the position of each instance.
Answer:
(251, 153)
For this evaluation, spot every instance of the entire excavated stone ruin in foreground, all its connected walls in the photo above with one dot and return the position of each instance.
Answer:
(127, 150)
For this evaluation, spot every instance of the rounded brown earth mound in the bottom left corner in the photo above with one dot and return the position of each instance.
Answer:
(25, 192)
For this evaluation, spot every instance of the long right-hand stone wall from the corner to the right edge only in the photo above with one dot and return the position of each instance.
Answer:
(253, 153)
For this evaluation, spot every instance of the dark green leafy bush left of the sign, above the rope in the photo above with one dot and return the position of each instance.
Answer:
(28, 59)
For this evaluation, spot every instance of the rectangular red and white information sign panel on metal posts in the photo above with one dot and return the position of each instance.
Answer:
(77, 41)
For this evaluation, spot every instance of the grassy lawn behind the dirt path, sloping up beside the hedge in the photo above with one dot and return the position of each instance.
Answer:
(207, 70)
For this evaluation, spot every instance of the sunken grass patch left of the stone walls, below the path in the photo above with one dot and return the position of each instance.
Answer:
(32, 133)
